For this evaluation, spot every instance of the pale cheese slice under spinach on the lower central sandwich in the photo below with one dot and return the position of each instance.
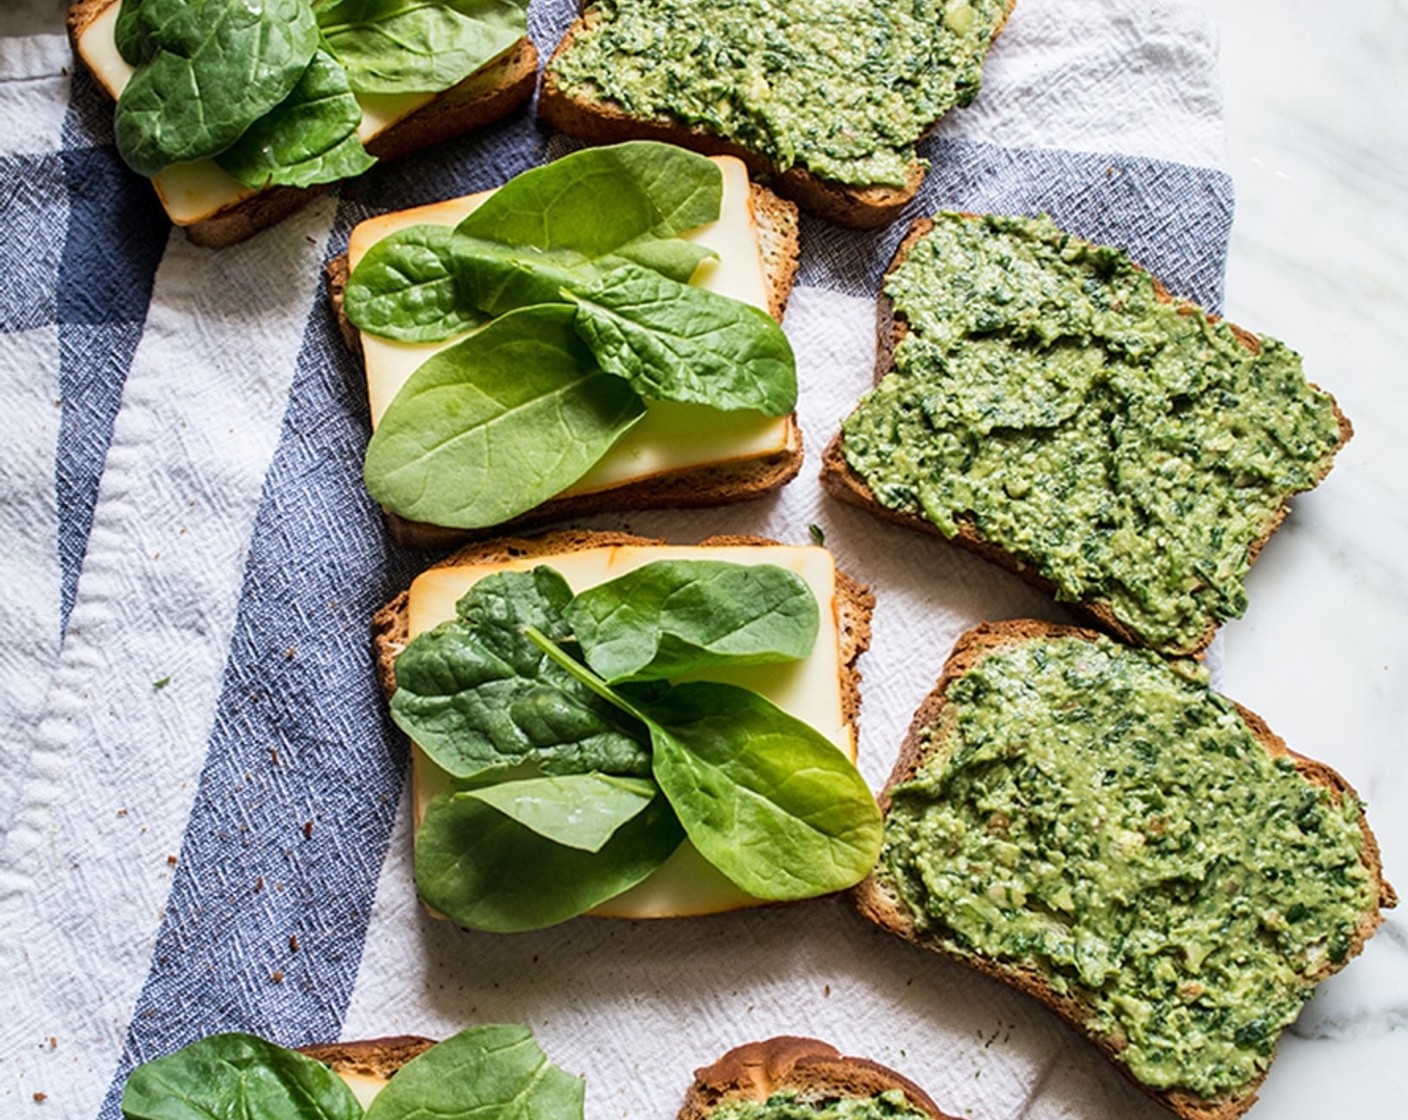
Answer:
(809, 690)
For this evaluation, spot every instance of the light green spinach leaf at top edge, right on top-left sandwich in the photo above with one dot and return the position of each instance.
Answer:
(419, 46)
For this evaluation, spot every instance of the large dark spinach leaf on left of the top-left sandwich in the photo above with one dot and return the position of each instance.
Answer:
(213, 68)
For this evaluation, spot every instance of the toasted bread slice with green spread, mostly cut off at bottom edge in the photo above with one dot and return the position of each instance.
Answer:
(817, 1073)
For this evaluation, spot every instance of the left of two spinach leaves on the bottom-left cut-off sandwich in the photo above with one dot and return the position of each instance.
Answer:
(241, 1078)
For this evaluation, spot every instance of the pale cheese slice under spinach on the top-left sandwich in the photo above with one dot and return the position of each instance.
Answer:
(199, 191)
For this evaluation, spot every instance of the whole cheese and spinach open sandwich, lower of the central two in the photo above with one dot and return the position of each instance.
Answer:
(612, 725)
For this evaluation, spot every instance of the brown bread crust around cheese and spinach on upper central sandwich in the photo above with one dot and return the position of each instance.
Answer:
(719, 484)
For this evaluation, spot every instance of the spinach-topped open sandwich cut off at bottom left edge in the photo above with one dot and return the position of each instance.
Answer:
(496, 1073)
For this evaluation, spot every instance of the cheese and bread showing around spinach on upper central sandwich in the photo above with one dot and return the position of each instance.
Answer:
(679, 454)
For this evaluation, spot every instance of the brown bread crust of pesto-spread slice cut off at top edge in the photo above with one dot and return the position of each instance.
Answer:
(603, 122)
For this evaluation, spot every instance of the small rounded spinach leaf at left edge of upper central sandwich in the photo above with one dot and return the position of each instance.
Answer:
(405, 288)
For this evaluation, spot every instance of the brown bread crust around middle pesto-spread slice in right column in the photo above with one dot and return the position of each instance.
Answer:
(843, 483)
